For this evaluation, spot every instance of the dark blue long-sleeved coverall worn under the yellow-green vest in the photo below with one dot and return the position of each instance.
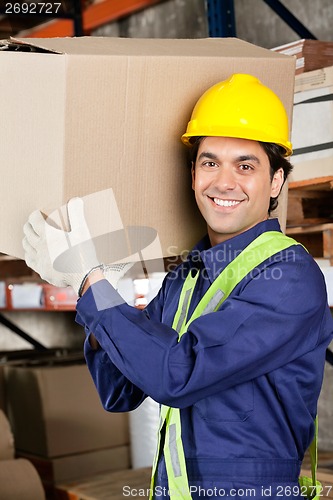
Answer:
(246, 378)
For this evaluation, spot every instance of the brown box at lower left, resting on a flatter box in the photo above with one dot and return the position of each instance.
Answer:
(55, 411)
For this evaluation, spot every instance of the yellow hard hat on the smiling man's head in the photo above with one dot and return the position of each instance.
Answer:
(241, 107)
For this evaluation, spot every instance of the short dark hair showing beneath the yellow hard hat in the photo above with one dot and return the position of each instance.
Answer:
(276, 158)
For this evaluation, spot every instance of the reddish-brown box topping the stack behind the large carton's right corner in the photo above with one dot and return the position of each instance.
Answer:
(310, 54)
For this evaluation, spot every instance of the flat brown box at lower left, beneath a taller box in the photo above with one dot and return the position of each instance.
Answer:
(79, 466)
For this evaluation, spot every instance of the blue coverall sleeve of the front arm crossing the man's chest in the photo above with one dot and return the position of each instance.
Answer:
(269, 322)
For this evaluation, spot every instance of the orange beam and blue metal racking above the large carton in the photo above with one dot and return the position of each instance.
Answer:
(81, 17)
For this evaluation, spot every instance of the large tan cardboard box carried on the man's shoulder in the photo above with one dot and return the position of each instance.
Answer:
(86, 114)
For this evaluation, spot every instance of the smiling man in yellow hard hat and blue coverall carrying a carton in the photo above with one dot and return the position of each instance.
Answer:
(233, 347)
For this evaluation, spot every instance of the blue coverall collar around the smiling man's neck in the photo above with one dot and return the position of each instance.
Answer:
(216, 258)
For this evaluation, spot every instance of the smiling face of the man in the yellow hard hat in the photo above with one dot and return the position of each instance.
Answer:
(233, 186)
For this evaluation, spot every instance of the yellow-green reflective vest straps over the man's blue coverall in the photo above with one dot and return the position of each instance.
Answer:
(260, 249)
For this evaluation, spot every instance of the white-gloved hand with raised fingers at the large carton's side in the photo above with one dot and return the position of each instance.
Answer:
(62, 258)
